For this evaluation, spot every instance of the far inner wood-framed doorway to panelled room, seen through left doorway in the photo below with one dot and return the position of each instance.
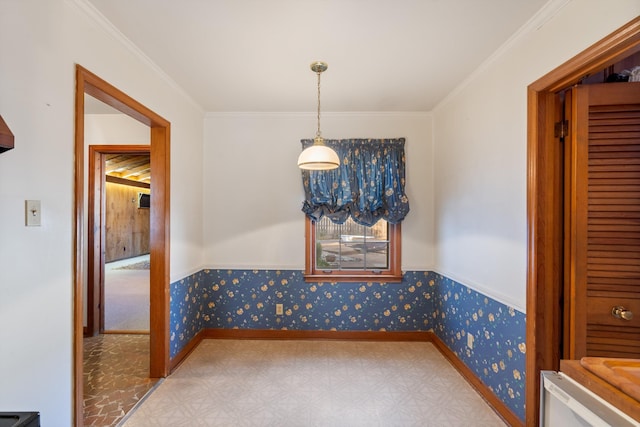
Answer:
(119, 242)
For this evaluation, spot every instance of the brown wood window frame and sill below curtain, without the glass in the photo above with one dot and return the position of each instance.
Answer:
(392, 274)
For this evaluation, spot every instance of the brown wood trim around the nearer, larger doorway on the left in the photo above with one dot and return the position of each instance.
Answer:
(89, 83)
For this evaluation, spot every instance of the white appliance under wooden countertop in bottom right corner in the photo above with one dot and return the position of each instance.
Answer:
(566, 403)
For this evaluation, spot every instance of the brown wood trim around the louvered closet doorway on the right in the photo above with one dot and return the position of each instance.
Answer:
(544, 184)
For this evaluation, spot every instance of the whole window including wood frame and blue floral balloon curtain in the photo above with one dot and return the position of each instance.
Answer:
(365, 197)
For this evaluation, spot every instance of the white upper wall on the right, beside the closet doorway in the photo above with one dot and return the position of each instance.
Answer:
(480, 134)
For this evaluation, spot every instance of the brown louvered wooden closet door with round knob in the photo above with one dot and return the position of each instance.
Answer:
(605, 223)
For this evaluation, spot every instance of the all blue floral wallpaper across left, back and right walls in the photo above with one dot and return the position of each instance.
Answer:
(246, 299)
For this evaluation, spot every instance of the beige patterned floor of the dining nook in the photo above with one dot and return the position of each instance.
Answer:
(313, 383)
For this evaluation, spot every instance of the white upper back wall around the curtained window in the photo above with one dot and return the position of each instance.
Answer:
(253, 188)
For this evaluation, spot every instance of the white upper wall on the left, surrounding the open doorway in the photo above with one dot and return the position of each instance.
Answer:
(41, 43)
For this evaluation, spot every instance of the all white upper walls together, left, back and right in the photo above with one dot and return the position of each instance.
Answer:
(480, 162)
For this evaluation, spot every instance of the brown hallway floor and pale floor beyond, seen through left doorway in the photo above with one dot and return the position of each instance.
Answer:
(116, 364)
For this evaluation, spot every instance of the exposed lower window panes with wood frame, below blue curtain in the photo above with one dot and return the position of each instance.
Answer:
(352, 252)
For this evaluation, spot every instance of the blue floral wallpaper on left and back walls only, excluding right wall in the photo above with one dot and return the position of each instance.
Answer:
(247, 299)
